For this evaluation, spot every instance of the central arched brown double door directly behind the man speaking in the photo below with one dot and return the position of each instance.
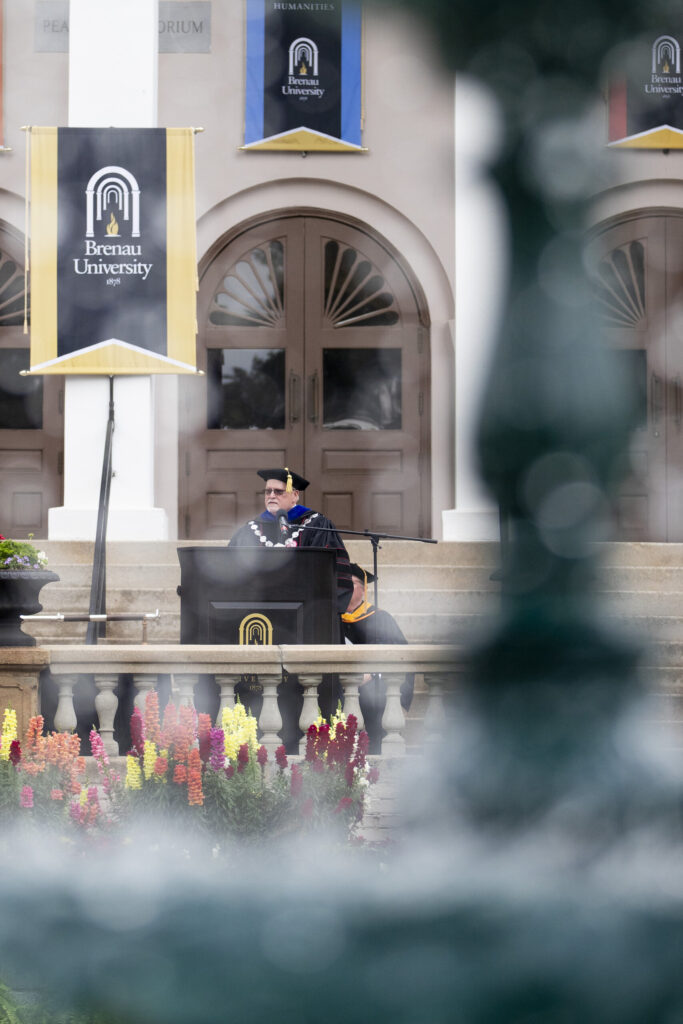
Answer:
(315, 344)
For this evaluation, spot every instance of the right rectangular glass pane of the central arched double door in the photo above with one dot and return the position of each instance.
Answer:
(362, 390)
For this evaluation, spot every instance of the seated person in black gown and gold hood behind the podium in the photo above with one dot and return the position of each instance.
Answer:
(363, 623)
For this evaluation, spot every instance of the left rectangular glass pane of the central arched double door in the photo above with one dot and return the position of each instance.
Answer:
(246, 389)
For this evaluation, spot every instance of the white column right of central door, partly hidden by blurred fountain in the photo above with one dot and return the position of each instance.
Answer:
(481, 278)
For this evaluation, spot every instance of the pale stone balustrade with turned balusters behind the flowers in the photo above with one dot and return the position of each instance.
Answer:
(440, 666)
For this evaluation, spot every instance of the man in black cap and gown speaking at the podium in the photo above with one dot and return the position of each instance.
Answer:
(303, 528)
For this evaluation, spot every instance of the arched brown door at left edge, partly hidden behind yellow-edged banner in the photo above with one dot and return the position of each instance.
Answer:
(31, 414)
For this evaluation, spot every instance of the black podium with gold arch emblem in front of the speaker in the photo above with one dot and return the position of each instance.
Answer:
(259, 596)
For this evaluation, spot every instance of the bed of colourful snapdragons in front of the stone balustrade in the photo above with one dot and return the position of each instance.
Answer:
(181, 770)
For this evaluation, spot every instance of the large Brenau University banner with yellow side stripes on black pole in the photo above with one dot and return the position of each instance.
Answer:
(113, 251)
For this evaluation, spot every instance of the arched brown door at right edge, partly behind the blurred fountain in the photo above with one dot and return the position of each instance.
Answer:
(638, 268)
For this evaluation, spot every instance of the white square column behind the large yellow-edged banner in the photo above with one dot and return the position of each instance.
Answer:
(113, 63)
